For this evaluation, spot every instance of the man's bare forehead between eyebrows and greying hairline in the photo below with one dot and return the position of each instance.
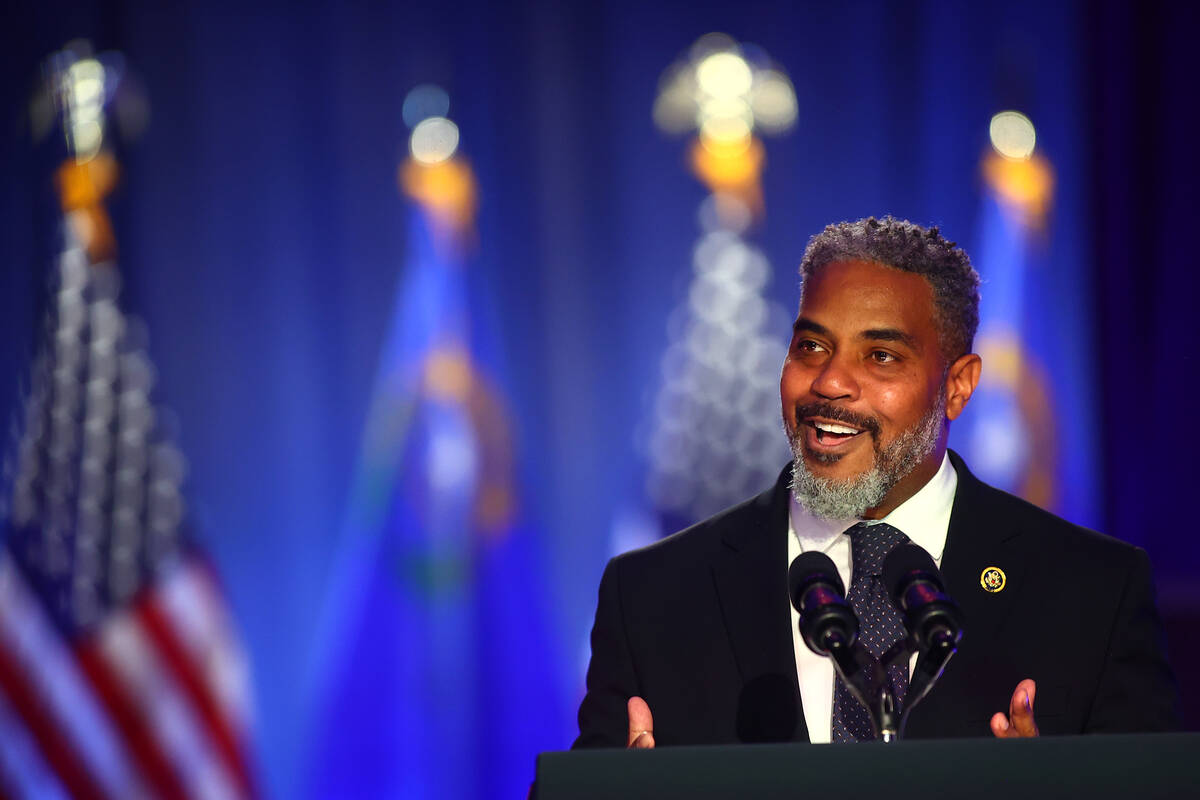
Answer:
(851, 297)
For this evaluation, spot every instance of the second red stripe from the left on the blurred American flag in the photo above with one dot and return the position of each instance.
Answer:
(129, 721)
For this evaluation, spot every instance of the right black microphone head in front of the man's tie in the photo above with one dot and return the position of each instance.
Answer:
(916, 588)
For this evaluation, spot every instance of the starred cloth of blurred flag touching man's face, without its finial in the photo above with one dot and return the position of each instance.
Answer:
(716, 436)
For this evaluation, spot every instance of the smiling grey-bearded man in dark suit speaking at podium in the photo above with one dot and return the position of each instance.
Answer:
(695, 641)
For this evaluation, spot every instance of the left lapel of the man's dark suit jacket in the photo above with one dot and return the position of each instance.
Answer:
(751, 575)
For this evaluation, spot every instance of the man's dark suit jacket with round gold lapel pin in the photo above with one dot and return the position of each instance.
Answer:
(699, 627)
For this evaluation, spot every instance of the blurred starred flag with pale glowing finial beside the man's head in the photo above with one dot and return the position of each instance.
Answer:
(715, 437)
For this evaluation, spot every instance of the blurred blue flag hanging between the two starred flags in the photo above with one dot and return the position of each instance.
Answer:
(439, 677)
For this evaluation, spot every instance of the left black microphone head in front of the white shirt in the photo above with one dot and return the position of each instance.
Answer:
(827, 622)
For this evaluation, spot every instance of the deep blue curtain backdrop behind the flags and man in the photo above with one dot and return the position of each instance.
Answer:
(265, 242)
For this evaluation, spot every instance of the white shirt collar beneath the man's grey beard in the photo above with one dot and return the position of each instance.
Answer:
(923, 518)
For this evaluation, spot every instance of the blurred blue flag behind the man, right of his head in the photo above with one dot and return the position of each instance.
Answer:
(1029, 430)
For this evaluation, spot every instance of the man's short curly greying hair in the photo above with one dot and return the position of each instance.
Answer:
(903, 245)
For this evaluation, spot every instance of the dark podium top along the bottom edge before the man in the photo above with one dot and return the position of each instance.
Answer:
(1131, 767)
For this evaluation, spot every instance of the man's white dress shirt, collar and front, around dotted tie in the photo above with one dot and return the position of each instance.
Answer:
(925, 519)
